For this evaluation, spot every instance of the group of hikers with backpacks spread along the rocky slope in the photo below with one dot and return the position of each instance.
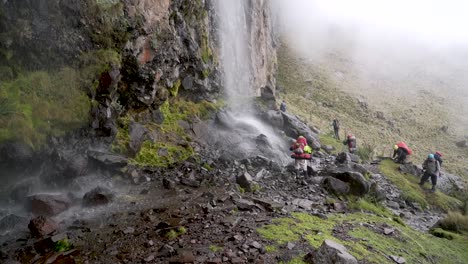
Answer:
(302, 152)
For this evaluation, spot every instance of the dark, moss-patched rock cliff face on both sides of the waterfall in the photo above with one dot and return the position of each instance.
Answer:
(133, 64)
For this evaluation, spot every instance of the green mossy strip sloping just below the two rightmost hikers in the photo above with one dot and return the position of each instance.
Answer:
(412, 192)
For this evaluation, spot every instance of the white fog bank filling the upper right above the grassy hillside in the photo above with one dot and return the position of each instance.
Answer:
(400, 47)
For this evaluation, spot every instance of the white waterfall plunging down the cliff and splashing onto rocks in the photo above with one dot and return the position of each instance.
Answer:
(236, 58)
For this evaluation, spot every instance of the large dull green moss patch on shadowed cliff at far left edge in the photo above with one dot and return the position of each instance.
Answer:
(38, 104)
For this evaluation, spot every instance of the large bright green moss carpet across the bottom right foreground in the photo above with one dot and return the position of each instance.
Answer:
(364, 239)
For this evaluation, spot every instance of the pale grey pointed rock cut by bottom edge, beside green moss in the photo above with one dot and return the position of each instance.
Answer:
(331, 252)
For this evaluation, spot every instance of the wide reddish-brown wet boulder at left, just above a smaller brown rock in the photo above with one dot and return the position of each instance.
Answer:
(48, 204)
